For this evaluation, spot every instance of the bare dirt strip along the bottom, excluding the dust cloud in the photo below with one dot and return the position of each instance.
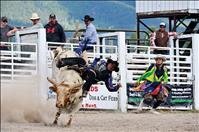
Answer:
(95, 121)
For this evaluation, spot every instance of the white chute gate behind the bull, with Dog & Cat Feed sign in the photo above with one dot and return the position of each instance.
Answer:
(99, 97)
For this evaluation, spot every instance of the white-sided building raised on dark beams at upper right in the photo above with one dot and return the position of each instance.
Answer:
(176, 11)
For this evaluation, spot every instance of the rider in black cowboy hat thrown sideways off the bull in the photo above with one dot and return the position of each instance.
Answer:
(101, 71)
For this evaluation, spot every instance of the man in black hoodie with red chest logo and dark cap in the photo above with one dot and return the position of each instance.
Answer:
(54, 31)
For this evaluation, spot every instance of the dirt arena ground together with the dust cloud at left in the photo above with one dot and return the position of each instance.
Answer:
(21, 111)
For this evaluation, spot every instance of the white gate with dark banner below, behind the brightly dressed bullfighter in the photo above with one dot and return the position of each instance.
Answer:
(179, 72)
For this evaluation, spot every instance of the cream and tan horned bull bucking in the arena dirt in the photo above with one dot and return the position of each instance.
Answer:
(67, 84)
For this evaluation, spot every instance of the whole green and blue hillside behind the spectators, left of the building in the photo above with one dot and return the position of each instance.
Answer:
(107, 14)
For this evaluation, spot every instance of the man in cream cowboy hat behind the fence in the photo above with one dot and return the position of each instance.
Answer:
(35, 22)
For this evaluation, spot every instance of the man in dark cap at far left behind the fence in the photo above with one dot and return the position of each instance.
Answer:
(6, 32)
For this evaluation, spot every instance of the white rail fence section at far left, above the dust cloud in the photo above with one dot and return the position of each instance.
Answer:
(18, 61)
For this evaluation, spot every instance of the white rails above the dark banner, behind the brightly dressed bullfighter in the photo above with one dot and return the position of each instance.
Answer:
(179, 67)
